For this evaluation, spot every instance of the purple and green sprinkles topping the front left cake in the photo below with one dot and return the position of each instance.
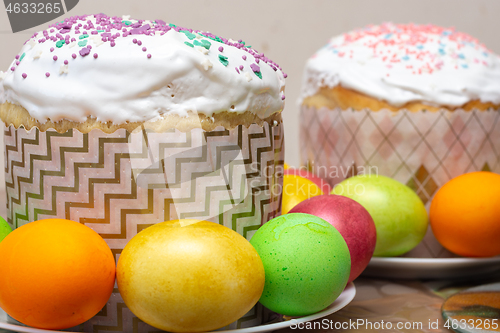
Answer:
(78, 30)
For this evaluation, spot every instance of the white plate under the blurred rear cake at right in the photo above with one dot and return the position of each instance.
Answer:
(431, 268)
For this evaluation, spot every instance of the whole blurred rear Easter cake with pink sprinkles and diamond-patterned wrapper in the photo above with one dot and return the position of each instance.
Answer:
(418, 103)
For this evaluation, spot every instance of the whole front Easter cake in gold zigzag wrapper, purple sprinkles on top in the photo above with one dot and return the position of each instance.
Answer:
(120, 123)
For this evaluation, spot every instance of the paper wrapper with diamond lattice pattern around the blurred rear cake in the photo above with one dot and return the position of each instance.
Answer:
(421, 149)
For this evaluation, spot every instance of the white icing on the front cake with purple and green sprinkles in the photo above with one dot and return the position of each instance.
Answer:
(123, 85)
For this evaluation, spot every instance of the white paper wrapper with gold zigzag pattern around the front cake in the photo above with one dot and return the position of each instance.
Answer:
(121, 183)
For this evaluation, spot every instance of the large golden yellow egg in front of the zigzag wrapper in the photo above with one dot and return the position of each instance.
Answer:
(189, 276)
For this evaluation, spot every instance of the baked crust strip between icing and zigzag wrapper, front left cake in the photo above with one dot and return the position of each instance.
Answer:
(16, 115)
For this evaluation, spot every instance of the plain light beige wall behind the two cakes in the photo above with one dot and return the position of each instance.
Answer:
(287, 31)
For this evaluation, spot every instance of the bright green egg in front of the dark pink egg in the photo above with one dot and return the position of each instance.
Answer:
(306, 261)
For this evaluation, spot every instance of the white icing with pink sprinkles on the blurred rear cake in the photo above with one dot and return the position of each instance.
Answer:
(407, 63)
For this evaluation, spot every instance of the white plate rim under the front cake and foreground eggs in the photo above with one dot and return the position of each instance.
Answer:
(345, 298)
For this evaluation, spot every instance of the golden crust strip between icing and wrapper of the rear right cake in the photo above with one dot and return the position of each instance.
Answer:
(344, 98)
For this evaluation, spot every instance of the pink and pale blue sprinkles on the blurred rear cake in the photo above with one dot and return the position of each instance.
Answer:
(427, 46)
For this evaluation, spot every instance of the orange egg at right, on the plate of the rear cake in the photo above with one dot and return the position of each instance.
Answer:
(465, 214)
